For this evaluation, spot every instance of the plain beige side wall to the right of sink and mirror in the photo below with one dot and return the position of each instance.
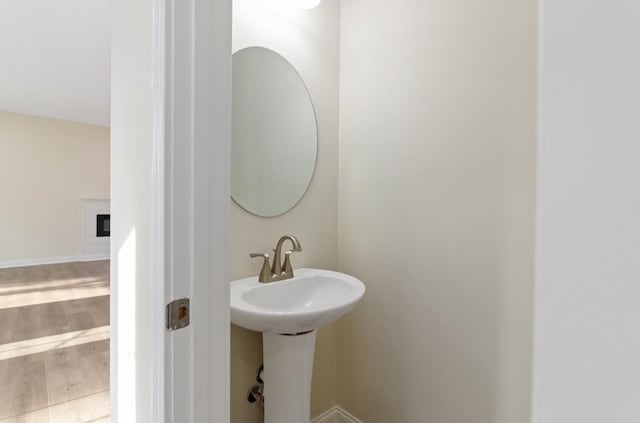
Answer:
(436, 204)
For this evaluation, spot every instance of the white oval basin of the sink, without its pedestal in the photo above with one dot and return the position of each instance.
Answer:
(312, 299)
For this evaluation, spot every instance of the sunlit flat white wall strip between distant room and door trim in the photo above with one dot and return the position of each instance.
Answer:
(133, 305)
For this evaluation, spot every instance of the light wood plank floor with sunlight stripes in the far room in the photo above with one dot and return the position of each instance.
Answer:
(54, 343)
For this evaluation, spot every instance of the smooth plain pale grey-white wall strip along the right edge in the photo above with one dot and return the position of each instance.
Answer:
(587, 366)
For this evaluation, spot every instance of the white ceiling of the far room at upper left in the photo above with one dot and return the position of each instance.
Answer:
(55, 59)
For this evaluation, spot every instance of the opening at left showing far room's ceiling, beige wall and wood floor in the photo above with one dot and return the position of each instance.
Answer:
(55, 212)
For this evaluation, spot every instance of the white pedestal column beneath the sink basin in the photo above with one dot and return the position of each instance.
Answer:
(288, 367)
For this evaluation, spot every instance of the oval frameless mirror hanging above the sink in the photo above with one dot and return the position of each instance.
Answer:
(274, 133)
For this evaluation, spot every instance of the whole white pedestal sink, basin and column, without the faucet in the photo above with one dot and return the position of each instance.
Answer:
(288, 312)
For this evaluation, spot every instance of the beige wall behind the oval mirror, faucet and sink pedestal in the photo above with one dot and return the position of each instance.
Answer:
(309, 40)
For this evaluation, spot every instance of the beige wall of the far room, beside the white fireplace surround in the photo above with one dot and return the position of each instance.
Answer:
(46, 167)
